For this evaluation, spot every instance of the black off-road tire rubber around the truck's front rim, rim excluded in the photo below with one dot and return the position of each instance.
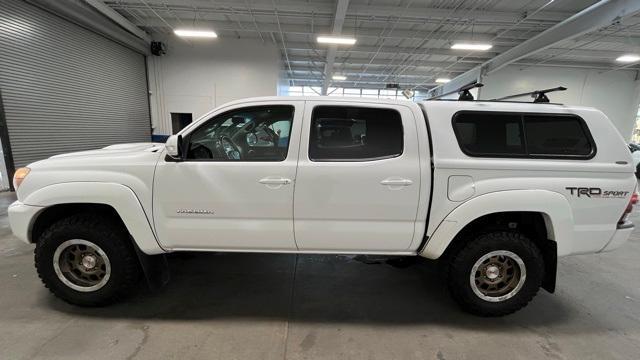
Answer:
(106, 233)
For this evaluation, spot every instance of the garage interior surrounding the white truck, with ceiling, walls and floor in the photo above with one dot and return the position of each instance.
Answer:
(84, 74)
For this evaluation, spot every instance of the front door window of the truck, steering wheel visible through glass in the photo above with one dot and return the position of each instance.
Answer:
(259, 133)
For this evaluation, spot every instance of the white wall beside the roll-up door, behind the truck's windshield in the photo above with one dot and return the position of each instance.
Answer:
(196, 76)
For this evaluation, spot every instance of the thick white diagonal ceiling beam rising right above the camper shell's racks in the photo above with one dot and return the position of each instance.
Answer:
(597, 16)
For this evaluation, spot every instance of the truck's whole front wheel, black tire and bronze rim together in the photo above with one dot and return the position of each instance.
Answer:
(87, 260)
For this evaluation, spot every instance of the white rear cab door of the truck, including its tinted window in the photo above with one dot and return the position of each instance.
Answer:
(358, 179)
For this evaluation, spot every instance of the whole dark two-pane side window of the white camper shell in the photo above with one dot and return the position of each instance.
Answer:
(499, 134)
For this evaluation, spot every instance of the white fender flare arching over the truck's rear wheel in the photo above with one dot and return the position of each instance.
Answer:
(554, 207)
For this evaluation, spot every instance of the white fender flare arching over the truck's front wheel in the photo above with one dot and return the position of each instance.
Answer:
(118, 196)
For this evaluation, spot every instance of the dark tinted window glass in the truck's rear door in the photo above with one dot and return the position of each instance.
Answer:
(345, 133)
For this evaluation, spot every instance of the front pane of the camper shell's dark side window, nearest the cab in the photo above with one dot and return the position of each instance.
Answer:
(489, 133)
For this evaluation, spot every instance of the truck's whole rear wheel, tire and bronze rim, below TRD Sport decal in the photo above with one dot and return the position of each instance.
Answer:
(495, 274)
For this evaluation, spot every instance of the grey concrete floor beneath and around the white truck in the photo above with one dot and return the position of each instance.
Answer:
(253, 306)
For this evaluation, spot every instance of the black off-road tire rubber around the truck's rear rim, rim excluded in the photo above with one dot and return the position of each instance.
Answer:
(460, 265)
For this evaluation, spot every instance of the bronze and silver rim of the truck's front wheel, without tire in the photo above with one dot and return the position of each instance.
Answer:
(81, 265)
